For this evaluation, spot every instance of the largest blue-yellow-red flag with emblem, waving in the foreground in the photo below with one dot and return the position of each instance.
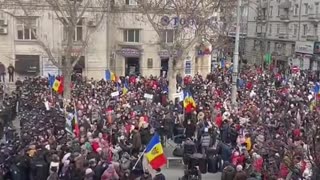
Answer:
(154, 153)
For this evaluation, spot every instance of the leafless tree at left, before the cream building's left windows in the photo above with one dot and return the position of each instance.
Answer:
(69, 13)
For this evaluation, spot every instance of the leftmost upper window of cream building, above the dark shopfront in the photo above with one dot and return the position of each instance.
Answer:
(26, 29)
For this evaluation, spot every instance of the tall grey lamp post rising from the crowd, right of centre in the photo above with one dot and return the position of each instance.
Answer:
(236, 58)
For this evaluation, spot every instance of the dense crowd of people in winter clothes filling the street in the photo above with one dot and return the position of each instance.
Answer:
(272, 133)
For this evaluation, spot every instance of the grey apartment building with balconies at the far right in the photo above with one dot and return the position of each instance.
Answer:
(287, 35)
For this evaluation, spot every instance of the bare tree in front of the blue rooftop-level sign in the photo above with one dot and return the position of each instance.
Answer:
(194, 22)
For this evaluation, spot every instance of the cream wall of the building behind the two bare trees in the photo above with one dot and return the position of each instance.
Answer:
(101, 53)
